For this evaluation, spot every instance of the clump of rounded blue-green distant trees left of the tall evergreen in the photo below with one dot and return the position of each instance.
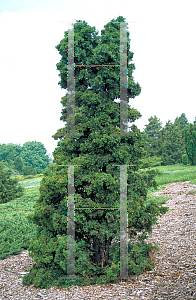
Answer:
(29, 159)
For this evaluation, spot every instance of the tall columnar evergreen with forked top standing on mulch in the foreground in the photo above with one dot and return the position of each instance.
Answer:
(96, 180)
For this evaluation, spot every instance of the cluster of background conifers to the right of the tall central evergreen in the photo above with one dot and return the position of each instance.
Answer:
(172, 144)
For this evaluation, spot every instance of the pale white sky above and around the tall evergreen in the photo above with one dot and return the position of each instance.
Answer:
(162, 37)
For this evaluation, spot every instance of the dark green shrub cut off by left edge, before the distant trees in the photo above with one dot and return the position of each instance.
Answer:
(9, 188)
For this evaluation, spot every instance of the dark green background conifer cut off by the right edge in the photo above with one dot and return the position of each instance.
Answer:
(190, 143)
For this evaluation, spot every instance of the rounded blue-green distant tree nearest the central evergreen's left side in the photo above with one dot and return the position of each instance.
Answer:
(34, 155)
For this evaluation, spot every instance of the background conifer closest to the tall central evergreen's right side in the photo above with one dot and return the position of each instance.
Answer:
(153, 131)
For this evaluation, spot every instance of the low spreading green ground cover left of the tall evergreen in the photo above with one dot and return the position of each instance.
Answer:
(16, 231)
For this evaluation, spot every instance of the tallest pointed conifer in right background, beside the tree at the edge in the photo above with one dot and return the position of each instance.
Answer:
(173, 146)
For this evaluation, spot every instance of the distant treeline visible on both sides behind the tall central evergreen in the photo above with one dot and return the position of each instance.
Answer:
(172, 144)
